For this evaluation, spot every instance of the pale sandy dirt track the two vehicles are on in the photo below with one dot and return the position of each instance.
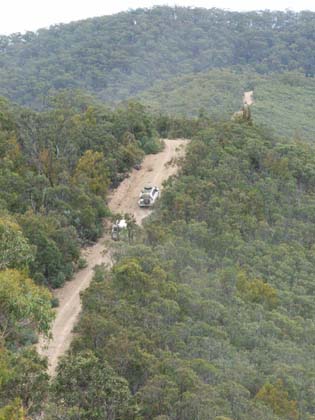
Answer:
(155, 169)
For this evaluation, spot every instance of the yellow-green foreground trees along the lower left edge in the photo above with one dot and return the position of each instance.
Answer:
(25, 310)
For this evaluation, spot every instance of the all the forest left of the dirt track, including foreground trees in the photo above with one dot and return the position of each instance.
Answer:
(55, 171)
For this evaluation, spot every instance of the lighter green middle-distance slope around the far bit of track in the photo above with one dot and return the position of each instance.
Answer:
(284, 101)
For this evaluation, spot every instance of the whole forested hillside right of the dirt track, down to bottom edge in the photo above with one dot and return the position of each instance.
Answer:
(209, 315)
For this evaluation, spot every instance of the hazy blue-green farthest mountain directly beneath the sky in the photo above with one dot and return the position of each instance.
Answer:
(118, 56)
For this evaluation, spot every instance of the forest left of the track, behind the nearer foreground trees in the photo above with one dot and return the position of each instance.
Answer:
(55, 171)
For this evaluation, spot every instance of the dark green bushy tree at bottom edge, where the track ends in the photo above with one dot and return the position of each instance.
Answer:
(91, 386)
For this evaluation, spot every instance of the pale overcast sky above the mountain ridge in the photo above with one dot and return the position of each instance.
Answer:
(23, 15)
